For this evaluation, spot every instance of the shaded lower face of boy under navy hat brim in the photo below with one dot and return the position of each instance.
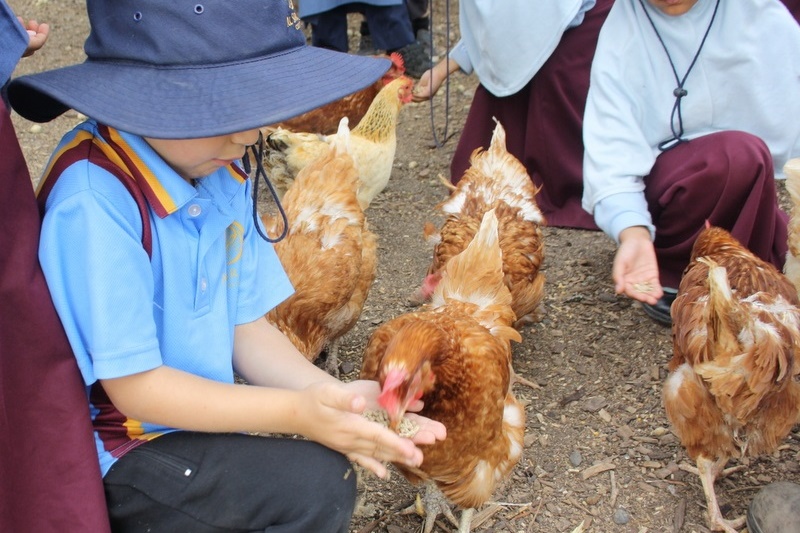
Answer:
(196, 158)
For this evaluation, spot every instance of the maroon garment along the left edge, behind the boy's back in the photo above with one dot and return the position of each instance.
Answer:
(49, 474)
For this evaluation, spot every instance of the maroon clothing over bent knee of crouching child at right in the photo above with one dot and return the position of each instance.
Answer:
(726, 178)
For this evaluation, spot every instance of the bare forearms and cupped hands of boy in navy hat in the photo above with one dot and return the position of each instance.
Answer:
(288, 394)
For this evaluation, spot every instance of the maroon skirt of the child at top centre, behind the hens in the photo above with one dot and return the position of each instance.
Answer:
(543, 123)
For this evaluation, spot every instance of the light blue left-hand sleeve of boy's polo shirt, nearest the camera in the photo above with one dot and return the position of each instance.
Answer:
(99, 275)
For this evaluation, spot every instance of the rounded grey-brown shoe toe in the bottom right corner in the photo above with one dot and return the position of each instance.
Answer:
(775, 509)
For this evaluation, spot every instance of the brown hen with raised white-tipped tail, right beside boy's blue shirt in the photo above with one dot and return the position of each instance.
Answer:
(328, 233)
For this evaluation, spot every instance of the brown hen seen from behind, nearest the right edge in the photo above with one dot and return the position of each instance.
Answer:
(733, 389)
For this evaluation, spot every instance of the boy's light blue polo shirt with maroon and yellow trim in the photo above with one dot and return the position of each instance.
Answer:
(125, 312)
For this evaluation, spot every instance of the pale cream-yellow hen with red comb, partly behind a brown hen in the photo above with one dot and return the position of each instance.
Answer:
(373, 143)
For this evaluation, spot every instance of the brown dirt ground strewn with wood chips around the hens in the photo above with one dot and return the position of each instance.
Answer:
(599, 452)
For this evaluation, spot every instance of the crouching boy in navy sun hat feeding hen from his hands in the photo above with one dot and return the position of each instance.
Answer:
(153, 257)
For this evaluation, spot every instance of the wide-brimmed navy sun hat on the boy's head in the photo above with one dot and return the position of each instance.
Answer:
(186, 69)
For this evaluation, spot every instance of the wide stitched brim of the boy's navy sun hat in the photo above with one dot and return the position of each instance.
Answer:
(197, 101)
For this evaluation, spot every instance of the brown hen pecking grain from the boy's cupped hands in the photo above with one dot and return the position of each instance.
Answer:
(455, 354)
